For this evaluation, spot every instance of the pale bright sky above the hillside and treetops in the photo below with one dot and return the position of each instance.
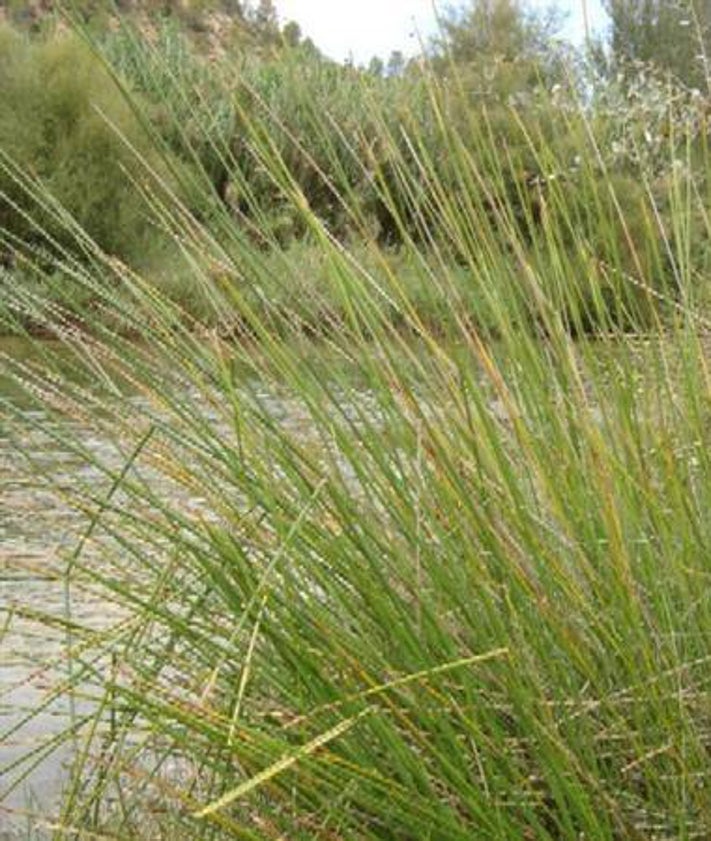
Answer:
(347, 28)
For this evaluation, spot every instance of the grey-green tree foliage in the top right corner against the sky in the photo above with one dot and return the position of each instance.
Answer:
(673, 35)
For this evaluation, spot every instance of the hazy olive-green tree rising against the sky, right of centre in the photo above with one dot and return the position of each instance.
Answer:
(499, 61)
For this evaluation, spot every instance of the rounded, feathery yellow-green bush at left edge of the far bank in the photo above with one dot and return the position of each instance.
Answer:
(66, 126)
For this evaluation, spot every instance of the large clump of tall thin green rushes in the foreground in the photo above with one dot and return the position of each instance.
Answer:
(411, 555)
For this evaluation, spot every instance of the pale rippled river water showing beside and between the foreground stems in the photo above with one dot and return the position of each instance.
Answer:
(39, 531)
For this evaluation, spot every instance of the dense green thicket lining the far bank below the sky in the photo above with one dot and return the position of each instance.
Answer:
(499, 142)
